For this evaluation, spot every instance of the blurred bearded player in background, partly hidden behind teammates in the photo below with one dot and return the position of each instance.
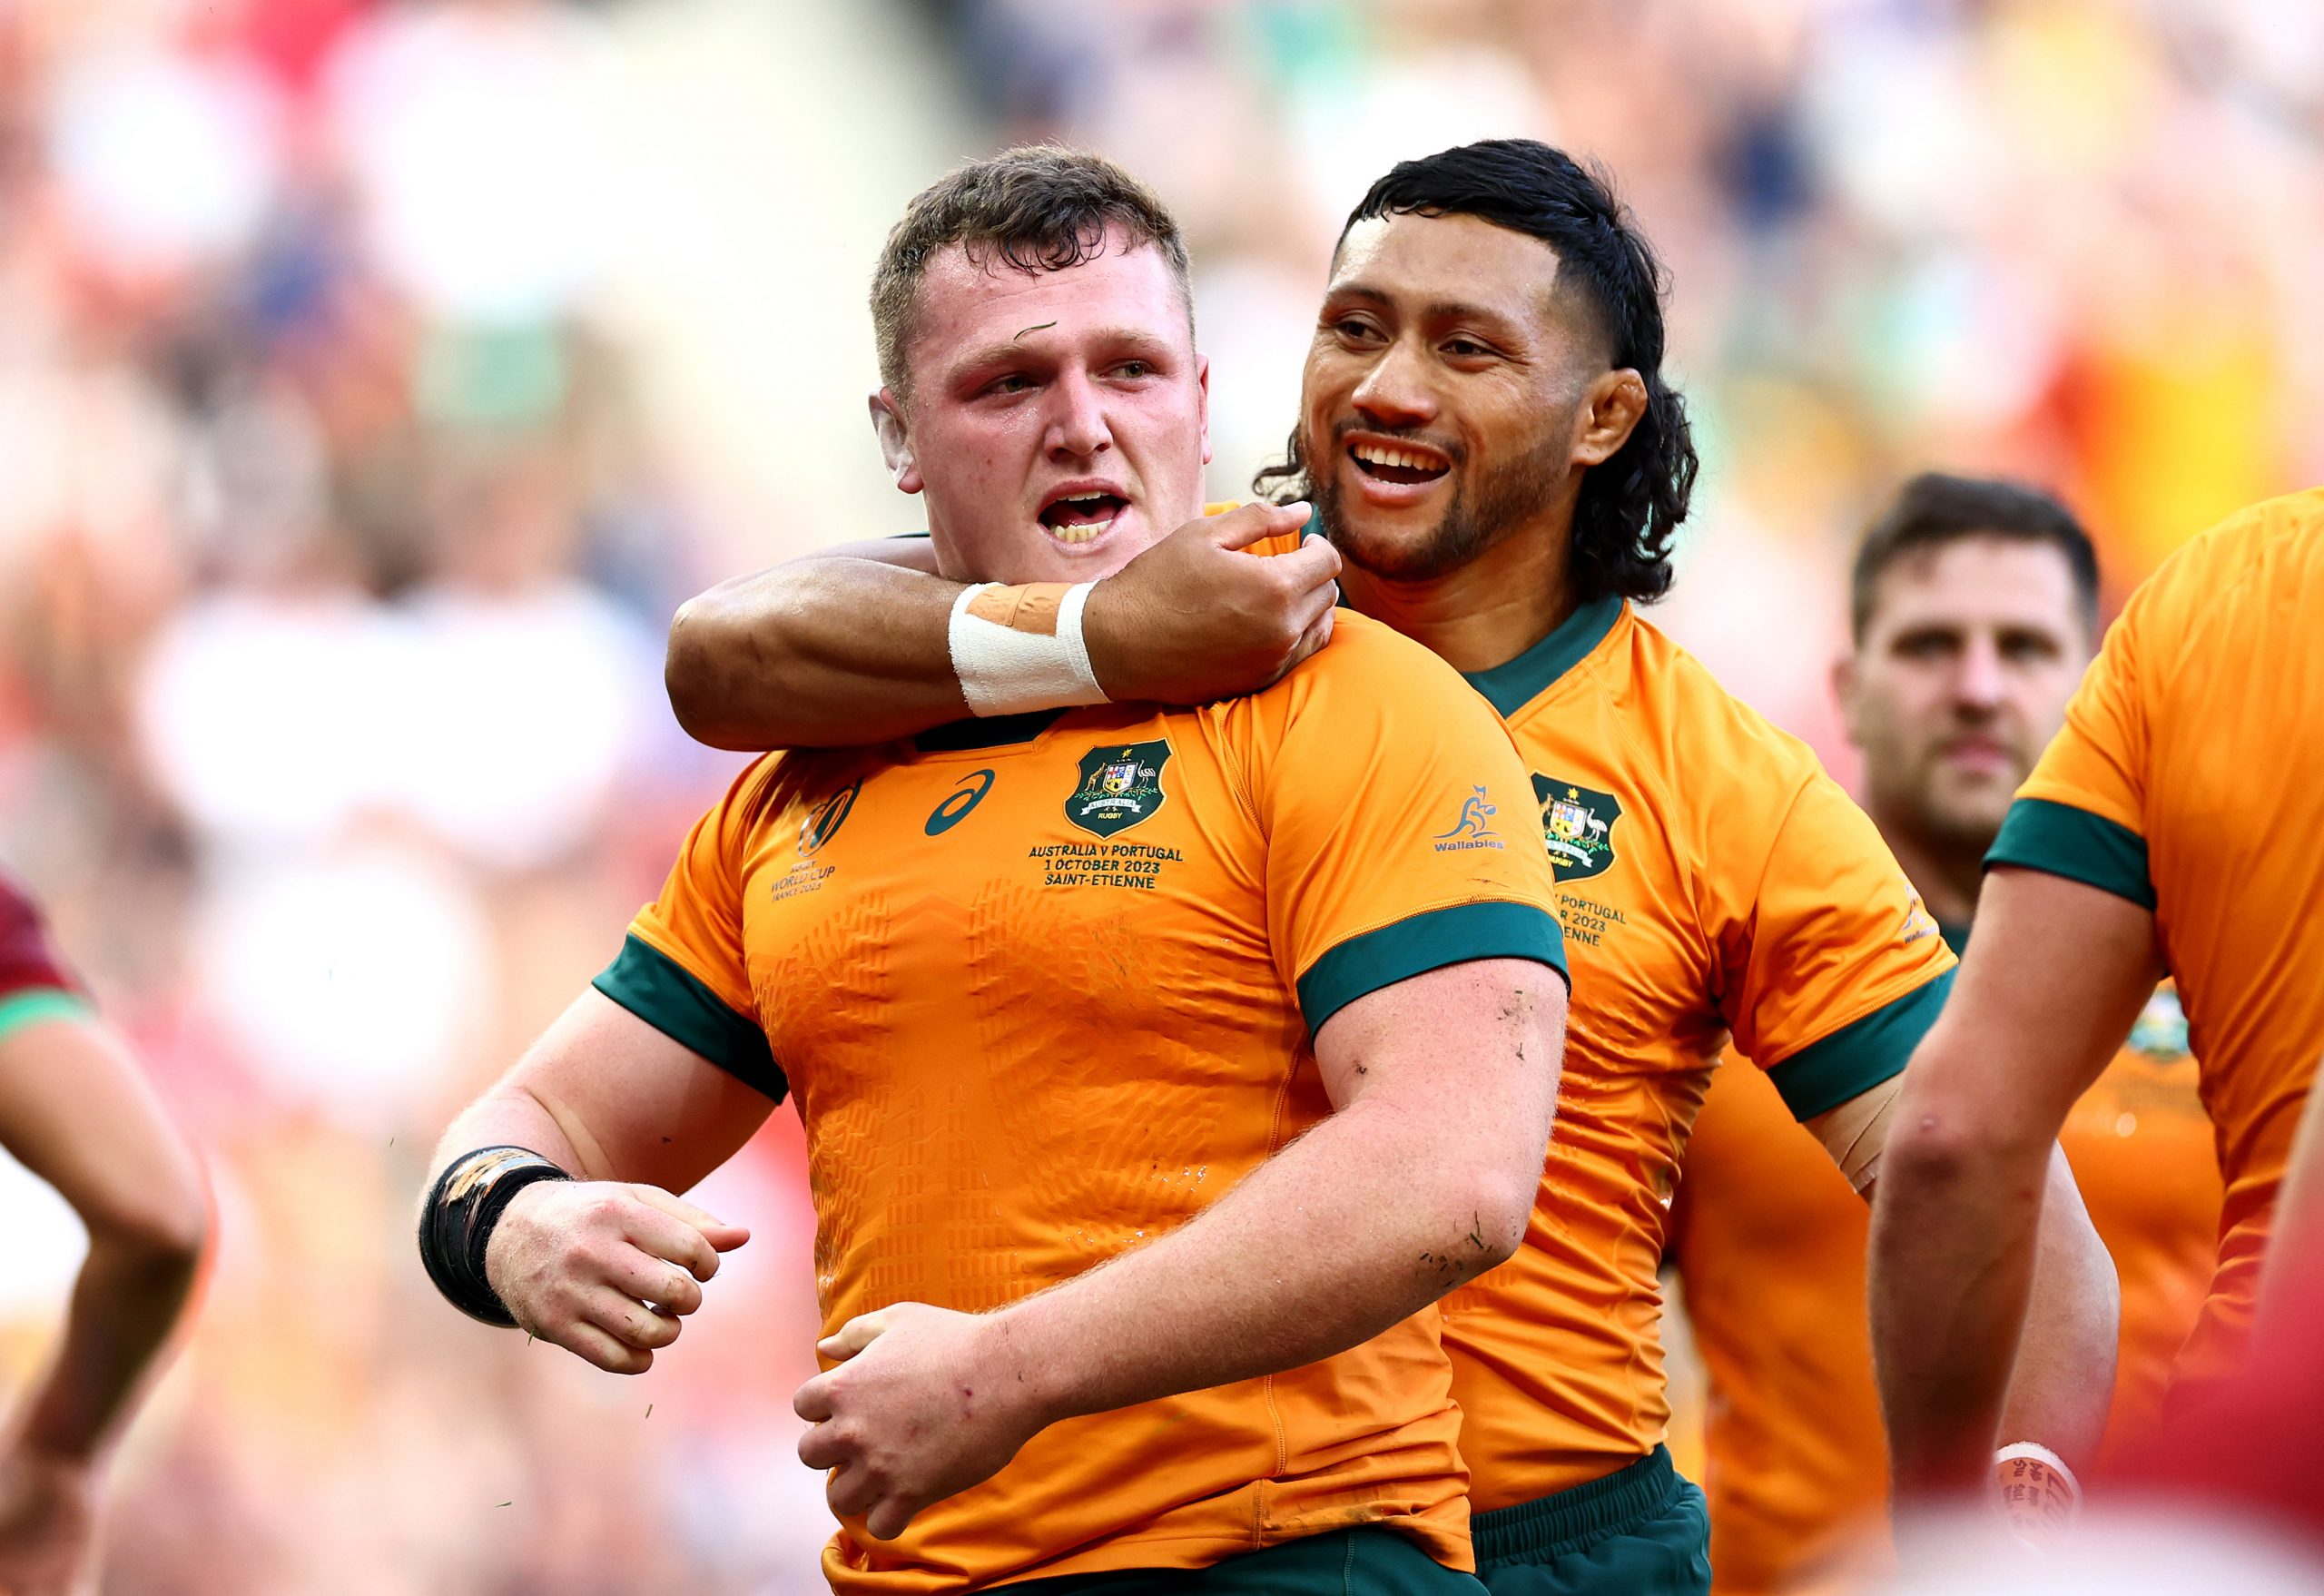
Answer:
(1974, 614)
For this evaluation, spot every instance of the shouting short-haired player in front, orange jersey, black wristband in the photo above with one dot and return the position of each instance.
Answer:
(1270, 988)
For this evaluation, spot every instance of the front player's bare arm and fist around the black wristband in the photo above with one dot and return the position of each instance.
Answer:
(610, 1263)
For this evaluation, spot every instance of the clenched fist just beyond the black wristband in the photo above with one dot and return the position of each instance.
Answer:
(605, 1270)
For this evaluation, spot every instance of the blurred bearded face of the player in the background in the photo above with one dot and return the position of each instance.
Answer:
(1970, 656)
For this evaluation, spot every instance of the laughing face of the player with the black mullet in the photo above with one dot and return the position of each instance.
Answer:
(1449, 394)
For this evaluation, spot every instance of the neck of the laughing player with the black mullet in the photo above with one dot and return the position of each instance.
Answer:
(1484, 612)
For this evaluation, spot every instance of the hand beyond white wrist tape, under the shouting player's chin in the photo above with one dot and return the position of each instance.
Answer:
(1196, 619)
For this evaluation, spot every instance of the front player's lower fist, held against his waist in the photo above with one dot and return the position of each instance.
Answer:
(921, 1407)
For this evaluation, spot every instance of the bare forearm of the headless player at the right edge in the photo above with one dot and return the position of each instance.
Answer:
(1953, 1260)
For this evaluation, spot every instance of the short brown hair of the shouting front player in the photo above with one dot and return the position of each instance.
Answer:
(1038, 208)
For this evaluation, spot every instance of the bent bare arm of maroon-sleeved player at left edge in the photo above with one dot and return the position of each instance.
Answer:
(80, 1114)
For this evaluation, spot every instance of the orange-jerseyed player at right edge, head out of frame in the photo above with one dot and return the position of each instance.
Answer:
(2174, 826)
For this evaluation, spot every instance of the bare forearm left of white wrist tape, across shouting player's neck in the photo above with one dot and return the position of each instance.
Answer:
(817, 654)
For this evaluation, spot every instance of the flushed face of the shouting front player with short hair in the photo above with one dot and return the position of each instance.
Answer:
(1059, 422)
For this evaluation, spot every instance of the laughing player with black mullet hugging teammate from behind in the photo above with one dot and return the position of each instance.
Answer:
(1493, 450)
